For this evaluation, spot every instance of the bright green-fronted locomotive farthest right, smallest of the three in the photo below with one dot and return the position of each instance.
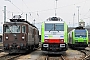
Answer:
(78, 37)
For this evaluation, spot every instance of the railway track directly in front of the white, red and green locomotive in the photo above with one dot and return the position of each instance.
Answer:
(53, 57)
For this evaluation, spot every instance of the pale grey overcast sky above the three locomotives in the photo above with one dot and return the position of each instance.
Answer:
(40, 10)
